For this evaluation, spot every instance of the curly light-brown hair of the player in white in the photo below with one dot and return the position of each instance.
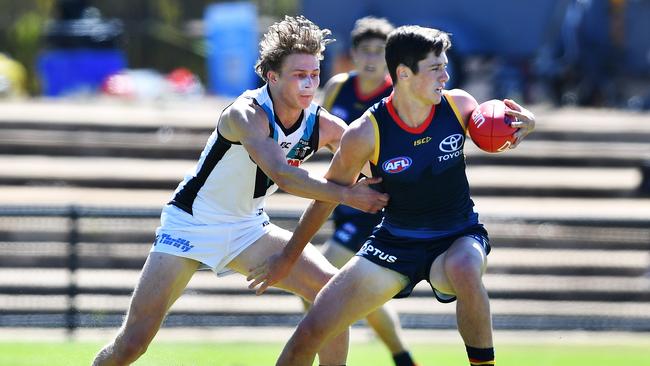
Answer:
(291, 35)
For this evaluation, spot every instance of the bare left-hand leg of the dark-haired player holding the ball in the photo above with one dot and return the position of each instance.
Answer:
(360, 287)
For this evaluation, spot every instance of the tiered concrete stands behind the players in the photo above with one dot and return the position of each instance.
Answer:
(82, 185)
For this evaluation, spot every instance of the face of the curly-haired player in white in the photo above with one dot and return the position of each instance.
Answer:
(299, 79)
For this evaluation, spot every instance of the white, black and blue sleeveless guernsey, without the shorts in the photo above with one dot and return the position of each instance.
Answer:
(226, 184)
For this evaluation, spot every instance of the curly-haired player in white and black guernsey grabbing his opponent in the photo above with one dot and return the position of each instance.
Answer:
(216, 216)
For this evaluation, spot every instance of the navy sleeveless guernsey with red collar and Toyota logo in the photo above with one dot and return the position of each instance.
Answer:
(423, 171)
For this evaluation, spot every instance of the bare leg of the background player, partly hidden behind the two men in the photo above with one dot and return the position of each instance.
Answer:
(384, 321)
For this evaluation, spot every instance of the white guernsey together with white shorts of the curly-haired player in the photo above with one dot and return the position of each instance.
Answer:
(218, 209)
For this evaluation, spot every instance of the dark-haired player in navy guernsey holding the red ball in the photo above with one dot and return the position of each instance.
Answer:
(413, 139)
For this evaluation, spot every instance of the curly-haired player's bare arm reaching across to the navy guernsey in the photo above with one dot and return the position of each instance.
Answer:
(246, 123)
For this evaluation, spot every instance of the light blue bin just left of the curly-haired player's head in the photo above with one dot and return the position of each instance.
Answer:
(231, 35)
